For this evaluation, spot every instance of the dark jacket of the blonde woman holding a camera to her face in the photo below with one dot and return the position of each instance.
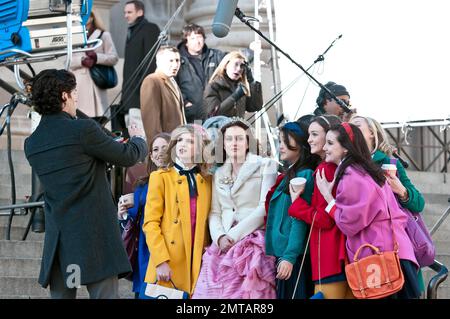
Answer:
(218, 101)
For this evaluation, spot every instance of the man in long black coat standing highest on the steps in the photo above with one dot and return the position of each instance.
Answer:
(141, 37)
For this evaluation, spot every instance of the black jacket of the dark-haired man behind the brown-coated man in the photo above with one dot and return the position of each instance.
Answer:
(191, 84)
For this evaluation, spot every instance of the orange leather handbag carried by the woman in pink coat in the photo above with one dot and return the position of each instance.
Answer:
(375, 276)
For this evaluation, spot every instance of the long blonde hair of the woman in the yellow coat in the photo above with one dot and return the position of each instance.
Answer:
(202, 146)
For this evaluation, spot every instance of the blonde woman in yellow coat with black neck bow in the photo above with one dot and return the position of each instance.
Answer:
(176, 211)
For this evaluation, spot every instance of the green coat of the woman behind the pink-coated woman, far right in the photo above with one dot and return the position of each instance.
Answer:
(415, 202)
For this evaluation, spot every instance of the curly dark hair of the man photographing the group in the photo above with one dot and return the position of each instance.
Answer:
(47, 88)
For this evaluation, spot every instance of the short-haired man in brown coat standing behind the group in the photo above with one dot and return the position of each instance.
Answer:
(161, 100)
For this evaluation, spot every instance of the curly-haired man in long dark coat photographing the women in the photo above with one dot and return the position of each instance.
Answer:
(82, 245)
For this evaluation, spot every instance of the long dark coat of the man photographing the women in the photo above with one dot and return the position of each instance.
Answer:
(81, 228)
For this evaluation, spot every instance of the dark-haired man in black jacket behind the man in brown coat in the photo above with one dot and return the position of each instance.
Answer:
(198, 63)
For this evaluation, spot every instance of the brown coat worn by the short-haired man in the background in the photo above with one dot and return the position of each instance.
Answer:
(161, 105)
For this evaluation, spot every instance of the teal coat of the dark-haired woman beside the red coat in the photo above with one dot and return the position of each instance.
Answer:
(285, 235)
